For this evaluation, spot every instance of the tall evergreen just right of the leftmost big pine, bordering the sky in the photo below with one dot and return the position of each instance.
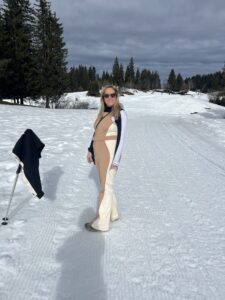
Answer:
(51, 53)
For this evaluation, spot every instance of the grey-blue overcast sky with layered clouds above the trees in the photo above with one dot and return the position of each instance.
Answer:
(187, 35)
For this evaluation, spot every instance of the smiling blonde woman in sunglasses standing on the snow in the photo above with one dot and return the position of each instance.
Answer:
(105, 151)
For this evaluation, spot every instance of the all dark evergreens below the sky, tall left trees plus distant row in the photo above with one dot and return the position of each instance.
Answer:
(33, 61)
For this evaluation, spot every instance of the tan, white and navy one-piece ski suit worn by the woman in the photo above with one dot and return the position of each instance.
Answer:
(106, 148)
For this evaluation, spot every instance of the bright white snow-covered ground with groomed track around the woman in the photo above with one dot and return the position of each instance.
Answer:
(170, 240)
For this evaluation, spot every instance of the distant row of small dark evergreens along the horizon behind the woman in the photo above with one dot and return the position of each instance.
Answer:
(83, 78)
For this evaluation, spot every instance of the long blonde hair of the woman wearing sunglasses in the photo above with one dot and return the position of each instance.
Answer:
(116, 107)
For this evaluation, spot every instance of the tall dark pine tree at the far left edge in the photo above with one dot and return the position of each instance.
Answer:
(17, 21)
